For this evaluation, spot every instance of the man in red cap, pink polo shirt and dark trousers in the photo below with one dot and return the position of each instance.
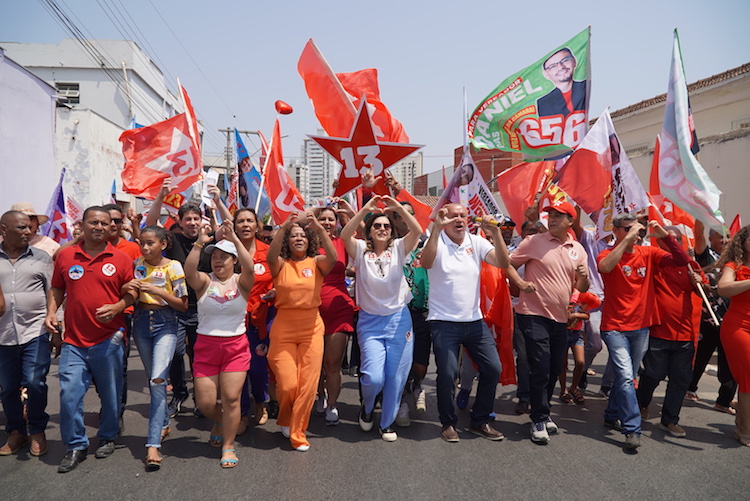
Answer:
(555, 264)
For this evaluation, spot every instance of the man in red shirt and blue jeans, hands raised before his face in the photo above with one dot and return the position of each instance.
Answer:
(629, 310)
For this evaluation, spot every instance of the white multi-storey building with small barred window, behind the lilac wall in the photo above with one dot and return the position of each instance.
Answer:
(100, 91)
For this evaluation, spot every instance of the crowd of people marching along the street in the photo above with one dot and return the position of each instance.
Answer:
(266, 320)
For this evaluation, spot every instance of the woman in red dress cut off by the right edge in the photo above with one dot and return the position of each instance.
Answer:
(735, 328)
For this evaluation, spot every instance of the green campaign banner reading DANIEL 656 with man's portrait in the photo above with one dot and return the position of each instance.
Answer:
(541, 111)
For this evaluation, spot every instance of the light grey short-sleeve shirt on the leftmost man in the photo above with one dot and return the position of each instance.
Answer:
(25, 284)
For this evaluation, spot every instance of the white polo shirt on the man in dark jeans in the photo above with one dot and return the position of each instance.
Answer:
(454, 279)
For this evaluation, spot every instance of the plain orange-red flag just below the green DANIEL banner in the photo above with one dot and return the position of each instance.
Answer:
(519, 185)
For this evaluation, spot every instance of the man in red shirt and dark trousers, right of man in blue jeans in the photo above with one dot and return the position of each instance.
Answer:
(672, 341)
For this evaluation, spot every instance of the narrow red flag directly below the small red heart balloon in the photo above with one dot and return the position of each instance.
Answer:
(284, 196)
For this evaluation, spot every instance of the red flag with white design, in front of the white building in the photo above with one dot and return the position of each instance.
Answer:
(156, 152)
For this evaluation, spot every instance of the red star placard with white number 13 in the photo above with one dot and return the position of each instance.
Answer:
(361, 151)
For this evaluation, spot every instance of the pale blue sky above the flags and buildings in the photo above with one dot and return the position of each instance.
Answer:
(236, 58)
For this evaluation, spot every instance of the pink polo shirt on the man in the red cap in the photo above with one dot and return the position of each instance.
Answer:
(551, 266)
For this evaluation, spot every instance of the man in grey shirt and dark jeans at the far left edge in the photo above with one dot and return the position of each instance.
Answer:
(25, 274)
